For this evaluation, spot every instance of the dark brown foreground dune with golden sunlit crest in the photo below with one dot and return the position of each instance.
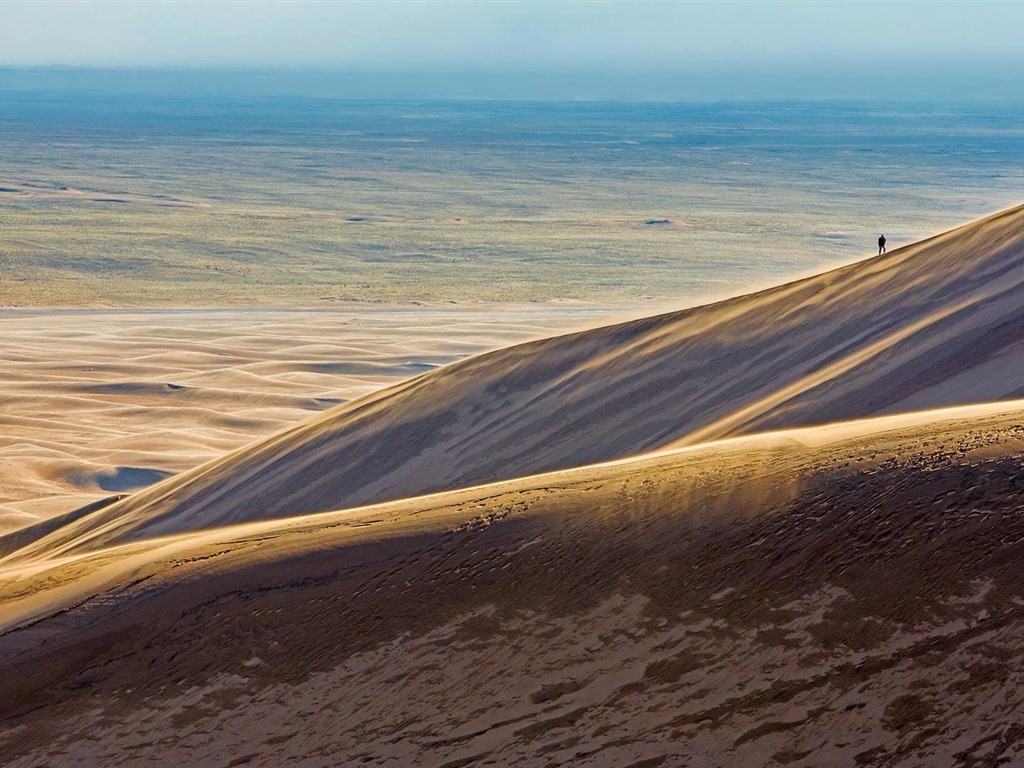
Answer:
(841, 596)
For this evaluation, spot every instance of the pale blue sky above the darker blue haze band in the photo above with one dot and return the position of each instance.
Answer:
(625, 41)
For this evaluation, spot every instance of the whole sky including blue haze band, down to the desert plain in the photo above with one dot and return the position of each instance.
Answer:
(616, 50)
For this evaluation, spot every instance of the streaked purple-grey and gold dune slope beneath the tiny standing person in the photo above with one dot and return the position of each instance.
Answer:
(932, 325)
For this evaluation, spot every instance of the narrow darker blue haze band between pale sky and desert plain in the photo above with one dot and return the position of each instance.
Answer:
(958, 84)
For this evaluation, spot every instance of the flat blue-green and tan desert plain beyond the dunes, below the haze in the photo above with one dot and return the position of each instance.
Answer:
(230, 201)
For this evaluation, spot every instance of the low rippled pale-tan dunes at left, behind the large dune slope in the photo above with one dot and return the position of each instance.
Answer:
(95, 404)
